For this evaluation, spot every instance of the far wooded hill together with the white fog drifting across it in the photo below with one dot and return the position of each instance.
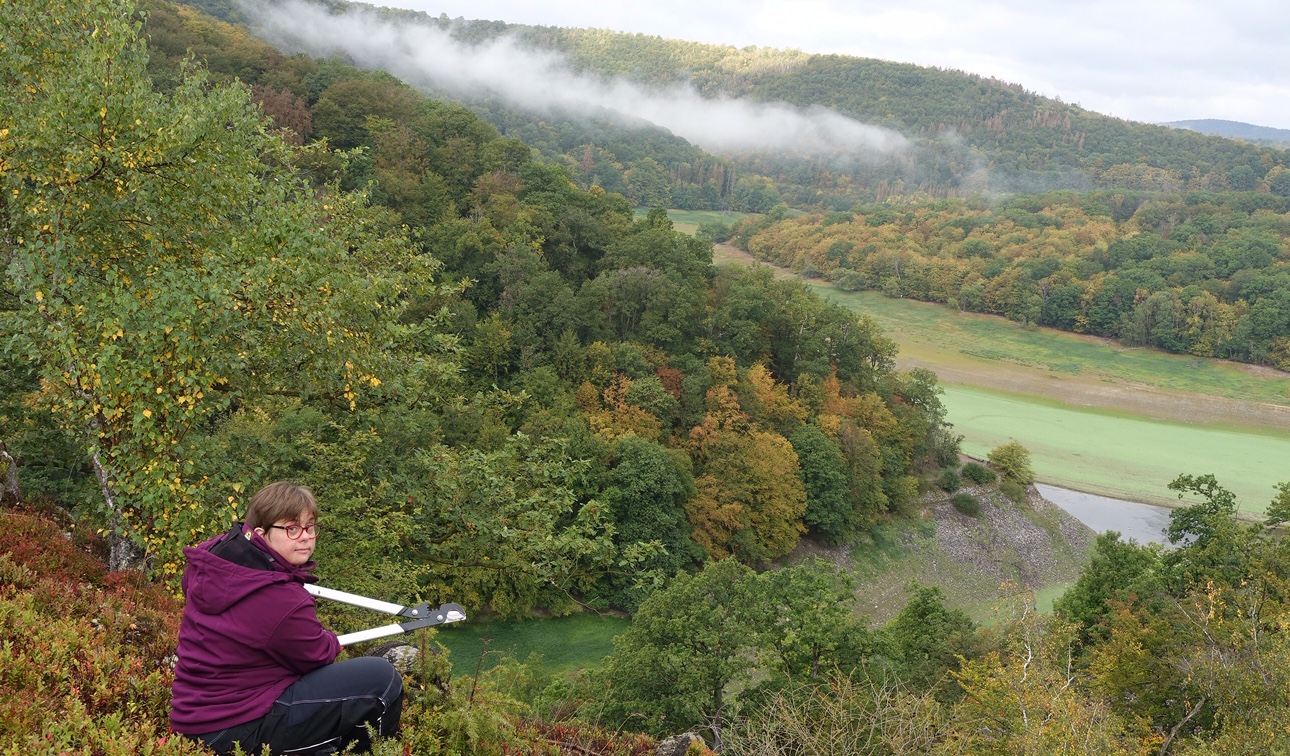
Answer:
(945, 134)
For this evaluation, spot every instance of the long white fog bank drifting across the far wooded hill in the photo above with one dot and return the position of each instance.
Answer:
(544, 83)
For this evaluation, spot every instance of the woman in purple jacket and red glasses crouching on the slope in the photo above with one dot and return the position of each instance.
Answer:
(256, 665)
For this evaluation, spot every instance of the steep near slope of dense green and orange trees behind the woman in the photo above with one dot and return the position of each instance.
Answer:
(544, 402)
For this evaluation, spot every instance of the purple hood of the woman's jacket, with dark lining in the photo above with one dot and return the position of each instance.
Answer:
(229, 568)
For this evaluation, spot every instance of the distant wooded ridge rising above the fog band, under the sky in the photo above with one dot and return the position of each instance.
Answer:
(1024, 141)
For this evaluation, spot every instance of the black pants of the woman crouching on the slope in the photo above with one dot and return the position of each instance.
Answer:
(324, 711)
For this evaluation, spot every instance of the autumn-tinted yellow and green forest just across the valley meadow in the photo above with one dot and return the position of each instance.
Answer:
(1206, 274)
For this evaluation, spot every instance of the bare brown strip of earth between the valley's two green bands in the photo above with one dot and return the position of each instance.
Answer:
(1138, 399)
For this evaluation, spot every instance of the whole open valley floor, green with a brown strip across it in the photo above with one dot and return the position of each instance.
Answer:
(1097, 416)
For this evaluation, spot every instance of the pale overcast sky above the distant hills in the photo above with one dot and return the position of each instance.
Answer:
(1142, 60)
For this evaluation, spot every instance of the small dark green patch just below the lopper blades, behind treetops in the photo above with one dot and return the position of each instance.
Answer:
(566, 643)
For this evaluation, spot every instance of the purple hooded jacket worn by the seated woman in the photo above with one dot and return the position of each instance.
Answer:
(248, 633)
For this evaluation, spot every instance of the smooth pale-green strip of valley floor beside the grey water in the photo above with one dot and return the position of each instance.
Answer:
(1119, 455)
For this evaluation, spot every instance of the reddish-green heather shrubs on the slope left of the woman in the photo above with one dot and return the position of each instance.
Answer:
(84, 655)
